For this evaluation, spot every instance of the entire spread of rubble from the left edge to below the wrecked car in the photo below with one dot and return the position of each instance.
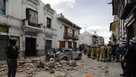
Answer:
(32, 65)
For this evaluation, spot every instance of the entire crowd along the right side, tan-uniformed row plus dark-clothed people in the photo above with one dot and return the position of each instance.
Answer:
(125, 53)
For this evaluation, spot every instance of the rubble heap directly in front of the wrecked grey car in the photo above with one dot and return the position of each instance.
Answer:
(62, 66)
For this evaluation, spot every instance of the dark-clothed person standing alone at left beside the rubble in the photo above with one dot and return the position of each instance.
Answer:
(12, 54)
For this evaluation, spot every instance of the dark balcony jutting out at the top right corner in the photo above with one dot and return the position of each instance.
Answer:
(128, 6)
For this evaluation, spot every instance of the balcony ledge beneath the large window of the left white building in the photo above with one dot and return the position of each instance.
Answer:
(30, 27)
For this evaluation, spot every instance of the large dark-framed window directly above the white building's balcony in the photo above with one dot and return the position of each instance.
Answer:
(32, 17)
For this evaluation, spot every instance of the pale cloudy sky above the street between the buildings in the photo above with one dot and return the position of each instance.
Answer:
(91, 15)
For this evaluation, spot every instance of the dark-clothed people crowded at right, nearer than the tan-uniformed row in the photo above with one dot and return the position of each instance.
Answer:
(125, 53)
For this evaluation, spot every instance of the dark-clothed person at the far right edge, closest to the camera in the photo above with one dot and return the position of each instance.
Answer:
(130, 59)
